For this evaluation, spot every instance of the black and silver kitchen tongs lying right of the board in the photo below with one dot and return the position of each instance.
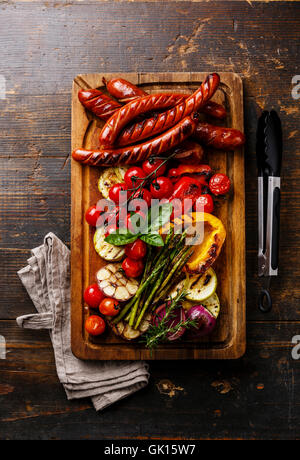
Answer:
(269, 157)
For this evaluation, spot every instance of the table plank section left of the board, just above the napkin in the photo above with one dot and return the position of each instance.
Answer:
(35, 199)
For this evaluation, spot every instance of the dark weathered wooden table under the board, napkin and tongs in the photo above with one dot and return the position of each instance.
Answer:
(44, 46)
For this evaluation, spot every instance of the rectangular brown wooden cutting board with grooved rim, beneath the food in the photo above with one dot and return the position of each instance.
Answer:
(228, 341)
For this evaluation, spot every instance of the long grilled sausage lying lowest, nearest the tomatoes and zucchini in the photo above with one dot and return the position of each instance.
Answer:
(136, 153)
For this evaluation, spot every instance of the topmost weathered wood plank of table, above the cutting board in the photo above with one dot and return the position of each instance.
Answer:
(224, 36)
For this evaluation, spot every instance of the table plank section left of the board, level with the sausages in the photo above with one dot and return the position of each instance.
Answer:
(35, 125)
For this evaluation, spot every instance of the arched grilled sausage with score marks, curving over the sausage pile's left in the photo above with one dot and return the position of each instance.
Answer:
(128, 112)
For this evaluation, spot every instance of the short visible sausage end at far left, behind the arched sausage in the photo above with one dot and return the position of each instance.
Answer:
(99, 103)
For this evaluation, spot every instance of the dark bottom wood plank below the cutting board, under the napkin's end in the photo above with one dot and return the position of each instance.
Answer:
(236, 399)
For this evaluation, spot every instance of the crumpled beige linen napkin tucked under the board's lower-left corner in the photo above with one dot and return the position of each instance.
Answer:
(47, 281)
